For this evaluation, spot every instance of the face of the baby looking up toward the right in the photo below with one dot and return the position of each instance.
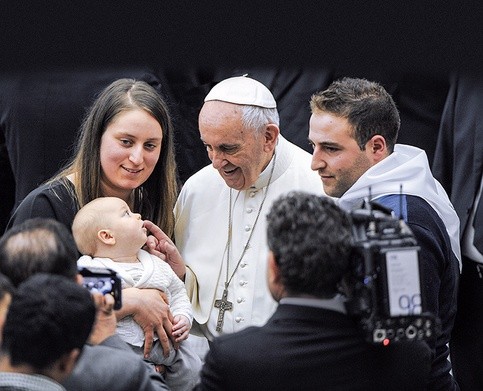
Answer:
(126, 225)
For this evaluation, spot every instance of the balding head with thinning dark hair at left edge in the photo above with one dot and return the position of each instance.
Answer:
(38, 245)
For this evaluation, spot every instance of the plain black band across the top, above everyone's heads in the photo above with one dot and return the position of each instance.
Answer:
(367, 37)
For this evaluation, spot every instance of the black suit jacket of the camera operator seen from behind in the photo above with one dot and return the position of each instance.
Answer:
(308, 348)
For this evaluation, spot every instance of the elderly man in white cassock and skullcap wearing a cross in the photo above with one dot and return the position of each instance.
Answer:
(220, 213)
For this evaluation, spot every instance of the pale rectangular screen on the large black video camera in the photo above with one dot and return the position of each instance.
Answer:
(404, 287)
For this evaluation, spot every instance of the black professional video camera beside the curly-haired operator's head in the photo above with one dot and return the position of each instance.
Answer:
(383, 286)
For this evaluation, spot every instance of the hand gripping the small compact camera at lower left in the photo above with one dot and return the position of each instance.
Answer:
(105, 323)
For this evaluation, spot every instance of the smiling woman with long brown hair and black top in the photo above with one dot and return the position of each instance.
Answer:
(125, 149)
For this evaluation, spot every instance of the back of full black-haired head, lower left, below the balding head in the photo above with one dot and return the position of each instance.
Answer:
(49, 316)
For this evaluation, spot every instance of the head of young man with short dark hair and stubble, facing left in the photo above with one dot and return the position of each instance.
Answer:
(354, 125)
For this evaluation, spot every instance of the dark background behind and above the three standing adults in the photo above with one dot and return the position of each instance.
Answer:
(55, 56)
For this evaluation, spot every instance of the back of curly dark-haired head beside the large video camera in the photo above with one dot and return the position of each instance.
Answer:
(309, 238)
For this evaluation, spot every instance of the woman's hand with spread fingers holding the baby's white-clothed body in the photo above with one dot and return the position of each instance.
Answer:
(150, 311)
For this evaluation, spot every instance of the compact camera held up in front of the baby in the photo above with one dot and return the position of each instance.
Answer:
(103, 280)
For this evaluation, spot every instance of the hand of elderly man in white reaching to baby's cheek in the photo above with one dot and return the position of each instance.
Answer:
(159, 244)
